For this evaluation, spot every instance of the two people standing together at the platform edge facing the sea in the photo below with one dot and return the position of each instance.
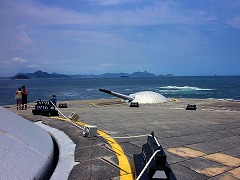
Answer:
(21, 97)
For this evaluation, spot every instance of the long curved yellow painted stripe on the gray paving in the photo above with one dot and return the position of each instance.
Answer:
(123, 163)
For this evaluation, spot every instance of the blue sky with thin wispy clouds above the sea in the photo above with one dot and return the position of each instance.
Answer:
(179, 37)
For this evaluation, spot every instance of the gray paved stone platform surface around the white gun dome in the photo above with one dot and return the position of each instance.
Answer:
(201, 144)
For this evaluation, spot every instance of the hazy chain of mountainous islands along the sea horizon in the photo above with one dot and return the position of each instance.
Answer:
(40, 74)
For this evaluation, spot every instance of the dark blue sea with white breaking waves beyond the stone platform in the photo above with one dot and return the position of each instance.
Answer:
(217, 87)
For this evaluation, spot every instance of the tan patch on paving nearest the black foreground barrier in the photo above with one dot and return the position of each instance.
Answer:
(185, 152)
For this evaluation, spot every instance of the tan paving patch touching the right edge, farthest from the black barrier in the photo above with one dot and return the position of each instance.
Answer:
(224, 159)
